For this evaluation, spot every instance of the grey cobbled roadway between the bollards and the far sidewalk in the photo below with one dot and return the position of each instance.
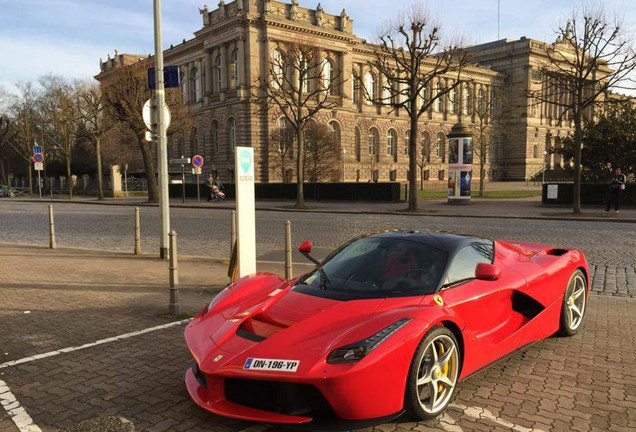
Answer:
(609, 246)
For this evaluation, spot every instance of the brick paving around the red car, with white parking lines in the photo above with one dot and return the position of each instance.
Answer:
(584, 383)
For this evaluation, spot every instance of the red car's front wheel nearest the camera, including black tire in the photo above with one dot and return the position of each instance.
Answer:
(433, 374)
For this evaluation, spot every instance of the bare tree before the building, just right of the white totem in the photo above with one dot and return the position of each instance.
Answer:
(298, 85)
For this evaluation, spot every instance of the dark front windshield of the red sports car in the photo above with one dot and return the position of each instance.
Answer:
(380, 267)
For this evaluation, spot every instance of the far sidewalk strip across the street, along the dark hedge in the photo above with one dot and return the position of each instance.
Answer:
(521, 208)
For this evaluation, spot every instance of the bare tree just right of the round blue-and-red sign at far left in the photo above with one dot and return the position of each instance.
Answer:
(60, 121)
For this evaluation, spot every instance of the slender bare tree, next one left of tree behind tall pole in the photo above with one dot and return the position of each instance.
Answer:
(96, 123)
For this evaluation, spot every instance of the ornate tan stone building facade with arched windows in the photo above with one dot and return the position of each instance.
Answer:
(232, 50)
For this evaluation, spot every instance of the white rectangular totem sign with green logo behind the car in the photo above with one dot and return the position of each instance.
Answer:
(245, 210)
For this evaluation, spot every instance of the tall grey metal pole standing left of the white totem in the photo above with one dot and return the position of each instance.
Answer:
(162, 150)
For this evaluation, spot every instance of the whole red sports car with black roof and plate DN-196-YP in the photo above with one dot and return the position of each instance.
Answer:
(388, 323)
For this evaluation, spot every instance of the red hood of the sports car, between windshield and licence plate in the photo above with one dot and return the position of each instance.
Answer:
(285, 324)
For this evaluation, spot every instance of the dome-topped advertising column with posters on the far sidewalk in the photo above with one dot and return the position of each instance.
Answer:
(460, 164)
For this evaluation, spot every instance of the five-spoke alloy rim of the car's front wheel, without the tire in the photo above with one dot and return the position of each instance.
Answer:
(437, 374)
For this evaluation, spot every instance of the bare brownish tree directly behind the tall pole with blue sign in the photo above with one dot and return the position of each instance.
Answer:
(125, 94)
